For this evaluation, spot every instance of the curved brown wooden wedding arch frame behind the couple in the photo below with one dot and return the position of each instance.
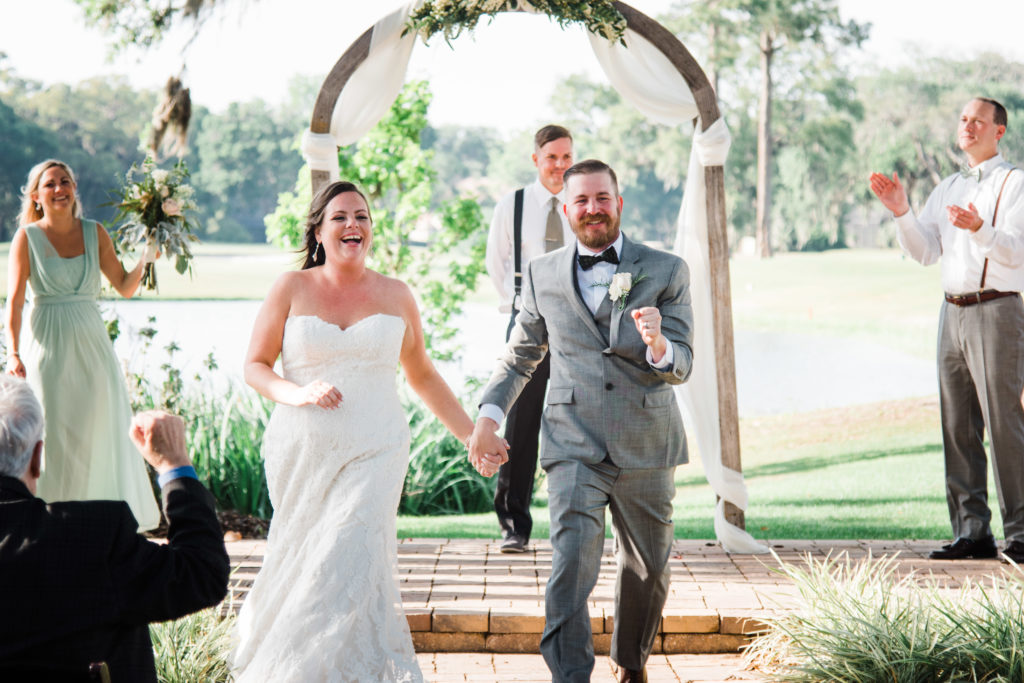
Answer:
(707, 104)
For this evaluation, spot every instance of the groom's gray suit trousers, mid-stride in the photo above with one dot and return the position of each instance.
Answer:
(642, 515)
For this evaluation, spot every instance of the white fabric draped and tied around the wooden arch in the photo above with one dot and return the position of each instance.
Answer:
(645, 77)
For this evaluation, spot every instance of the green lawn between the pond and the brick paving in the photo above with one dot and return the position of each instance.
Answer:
(871, 472)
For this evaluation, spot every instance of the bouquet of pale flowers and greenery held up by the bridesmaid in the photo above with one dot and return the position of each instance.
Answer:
(154, 212)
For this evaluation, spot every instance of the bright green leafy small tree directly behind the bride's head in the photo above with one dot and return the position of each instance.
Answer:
(393, 167)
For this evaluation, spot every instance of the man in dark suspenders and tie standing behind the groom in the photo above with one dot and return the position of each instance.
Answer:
(528, 223)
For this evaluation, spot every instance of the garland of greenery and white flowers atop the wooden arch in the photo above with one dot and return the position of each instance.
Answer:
(453, 17)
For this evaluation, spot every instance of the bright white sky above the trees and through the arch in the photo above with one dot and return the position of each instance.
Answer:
(502, 76)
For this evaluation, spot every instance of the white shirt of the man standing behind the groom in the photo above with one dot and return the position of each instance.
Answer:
(500, 260)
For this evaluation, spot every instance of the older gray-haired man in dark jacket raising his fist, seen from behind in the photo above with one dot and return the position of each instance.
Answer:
(78, 584)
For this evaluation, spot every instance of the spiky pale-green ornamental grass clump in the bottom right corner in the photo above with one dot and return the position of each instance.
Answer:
(863, 623)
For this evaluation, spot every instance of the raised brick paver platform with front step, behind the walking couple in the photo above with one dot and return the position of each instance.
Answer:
(465, 596)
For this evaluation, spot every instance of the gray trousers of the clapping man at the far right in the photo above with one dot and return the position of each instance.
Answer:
(982, 378)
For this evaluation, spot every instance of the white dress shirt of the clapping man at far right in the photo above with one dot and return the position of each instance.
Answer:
(930, 236)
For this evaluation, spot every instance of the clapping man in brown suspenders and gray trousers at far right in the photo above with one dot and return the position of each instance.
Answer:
(974, 221)
